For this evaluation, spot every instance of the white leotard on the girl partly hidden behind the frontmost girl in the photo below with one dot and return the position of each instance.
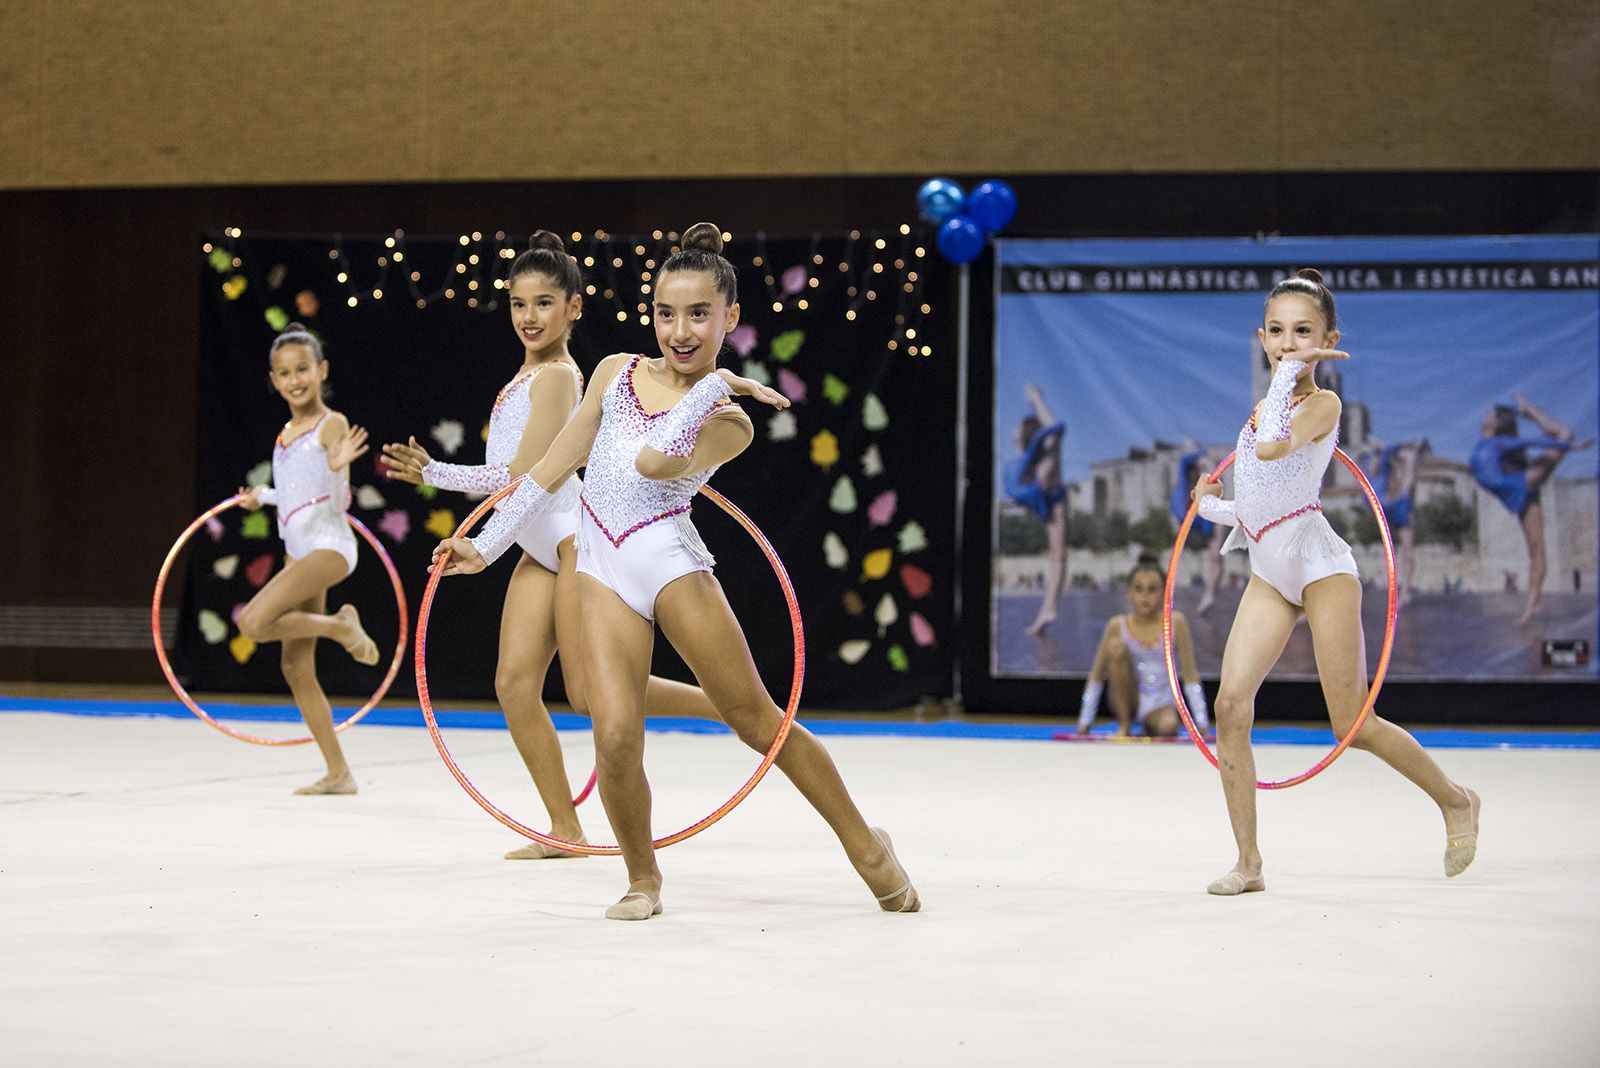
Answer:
(508, 423)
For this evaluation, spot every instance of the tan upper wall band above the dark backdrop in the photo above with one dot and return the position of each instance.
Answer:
(106, 94)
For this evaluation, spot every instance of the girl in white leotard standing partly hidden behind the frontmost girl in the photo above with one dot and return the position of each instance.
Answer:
(542, 610)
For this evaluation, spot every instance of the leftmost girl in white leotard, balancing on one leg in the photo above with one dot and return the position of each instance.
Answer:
(311, 490)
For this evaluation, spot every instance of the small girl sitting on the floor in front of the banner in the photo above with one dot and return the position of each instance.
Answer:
(1130, 664)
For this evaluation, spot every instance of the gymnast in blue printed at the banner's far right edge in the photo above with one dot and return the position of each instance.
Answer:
(1502, 466)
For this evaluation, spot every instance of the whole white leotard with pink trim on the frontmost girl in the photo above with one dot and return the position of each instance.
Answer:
(636, 535)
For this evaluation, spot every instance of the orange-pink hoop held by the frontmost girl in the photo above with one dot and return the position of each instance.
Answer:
(425, 610)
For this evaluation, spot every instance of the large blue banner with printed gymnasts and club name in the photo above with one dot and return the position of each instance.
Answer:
(1471, 400)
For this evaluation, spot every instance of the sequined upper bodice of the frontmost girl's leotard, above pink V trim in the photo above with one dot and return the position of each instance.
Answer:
(617, 496)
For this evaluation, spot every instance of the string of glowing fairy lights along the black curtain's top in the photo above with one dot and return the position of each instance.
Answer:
(622, 271)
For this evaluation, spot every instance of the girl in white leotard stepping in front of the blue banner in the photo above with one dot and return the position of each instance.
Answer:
(1300, 565)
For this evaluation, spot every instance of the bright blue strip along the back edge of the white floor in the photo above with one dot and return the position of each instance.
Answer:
(1433, 738)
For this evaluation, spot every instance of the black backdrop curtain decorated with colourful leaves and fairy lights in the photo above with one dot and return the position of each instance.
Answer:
(854, 488)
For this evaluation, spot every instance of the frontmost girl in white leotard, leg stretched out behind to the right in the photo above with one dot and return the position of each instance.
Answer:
(652, 434)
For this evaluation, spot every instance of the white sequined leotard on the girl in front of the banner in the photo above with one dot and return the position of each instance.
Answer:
(1278, 504)
